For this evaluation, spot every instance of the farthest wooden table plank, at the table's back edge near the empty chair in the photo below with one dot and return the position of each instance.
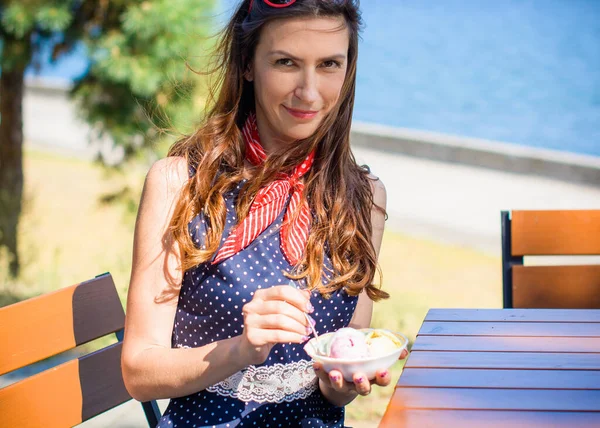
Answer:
(514, 315)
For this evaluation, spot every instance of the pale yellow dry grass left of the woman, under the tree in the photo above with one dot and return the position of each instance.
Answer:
(66, 234)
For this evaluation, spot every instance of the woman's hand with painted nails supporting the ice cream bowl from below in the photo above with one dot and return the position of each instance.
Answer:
(344, 391)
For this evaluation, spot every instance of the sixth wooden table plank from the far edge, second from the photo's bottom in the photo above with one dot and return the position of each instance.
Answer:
(497, 399)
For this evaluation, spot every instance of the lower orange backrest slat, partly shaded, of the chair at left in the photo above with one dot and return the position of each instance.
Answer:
(66, 395)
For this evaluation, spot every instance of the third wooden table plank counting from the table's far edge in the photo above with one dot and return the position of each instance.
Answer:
(507, 344)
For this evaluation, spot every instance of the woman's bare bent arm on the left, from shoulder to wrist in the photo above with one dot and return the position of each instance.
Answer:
(151, 369)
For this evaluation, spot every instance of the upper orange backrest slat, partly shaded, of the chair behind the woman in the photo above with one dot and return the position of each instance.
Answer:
(47, 325)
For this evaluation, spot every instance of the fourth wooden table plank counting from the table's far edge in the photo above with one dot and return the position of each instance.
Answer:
(503, 360)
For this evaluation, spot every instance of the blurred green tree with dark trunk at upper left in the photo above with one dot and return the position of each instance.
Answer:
(137, 77)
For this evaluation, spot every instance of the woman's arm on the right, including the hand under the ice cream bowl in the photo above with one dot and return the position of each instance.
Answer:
(332, 385)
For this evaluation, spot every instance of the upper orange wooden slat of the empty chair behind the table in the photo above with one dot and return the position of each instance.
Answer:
(553, 232)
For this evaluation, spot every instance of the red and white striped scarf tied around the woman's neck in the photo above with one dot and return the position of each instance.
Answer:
(269, 202)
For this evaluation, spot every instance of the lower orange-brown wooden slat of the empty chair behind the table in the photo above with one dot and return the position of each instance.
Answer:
(576, 287)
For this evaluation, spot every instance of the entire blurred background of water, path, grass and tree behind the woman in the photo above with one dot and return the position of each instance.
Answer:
(463, 108)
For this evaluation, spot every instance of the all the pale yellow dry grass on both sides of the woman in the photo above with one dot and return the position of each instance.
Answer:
(67, 235)
